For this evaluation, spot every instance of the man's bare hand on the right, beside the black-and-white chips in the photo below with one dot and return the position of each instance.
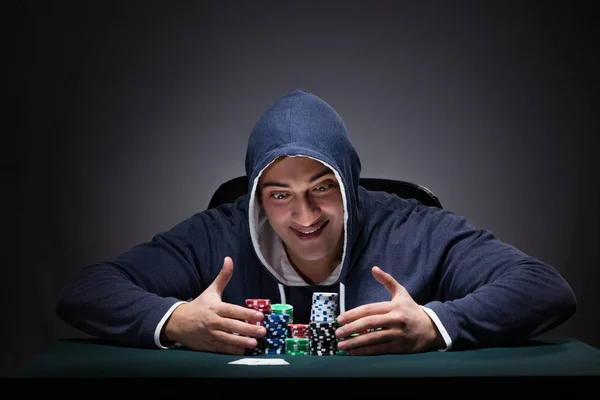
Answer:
(399, 325)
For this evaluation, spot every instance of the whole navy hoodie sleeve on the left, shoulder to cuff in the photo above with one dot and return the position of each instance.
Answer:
(127, 297)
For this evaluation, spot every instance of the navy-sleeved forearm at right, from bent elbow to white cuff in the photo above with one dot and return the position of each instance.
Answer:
(524, 302)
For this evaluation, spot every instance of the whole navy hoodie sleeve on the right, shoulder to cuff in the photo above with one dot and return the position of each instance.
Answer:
(490, 293)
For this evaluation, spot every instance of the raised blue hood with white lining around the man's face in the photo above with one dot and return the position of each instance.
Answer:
(301, 124)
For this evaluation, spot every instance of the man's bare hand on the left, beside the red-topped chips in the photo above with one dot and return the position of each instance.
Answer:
(209, 324)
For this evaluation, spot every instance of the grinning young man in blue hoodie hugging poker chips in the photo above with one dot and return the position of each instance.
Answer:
(417, 278)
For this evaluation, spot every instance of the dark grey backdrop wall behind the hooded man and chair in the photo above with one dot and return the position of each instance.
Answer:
(131, 113)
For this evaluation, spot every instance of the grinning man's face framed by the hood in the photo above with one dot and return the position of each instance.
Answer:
(303, 203)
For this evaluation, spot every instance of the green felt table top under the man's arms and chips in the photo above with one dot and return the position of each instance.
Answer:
(99, 364)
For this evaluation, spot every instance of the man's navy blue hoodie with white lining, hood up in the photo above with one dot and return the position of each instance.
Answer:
(478, 290)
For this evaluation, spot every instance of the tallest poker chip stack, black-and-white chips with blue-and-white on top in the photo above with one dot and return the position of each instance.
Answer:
(323, 324)
